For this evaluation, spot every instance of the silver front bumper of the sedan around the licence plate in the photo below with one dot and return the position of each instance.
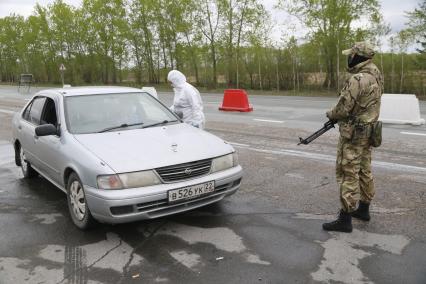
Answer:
(128, 205)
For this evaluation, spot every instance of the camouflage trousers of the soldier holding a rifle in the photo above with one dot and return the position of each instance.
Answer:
(353, 173)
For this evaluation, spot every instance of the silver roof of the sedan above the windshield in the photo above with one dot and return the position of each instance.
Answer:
(93, 90)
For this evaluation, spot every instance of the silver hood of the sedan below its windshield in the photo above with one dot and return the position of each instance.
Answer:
(142, 149)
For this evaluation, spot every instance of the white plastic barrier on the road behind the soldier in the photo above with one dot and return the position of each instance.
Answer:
(400, 109)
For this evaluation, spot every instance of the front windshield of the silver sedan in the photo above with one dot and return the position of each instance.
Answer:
(113, 112)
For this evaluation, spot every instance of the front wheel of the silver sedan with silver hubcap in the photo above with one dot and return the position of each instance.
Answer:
(77, 204)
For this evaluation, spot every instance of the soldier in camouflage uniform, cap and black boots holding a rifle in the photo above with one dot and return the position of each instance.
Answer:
(357, 109)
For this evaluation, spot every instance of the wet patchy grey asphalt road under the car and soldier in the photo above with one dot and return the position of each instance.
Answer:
(268, 232)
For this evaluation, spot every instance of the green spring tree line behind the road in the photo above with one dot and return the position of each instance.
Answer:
(217, 43)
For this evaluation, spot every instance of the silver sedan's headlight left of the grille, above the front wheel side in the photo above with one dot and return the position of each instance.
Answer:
(128, 180)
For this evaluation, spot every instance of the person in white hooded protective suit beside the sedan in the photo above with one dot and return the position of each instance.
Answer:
(187, 102)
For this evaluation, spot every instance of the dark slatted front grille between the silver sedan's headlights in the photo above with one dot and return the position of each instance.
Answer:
(185, 171)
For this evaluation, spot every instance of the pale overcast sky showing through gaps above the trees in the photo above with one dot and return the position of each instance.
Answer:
(393, 12)
